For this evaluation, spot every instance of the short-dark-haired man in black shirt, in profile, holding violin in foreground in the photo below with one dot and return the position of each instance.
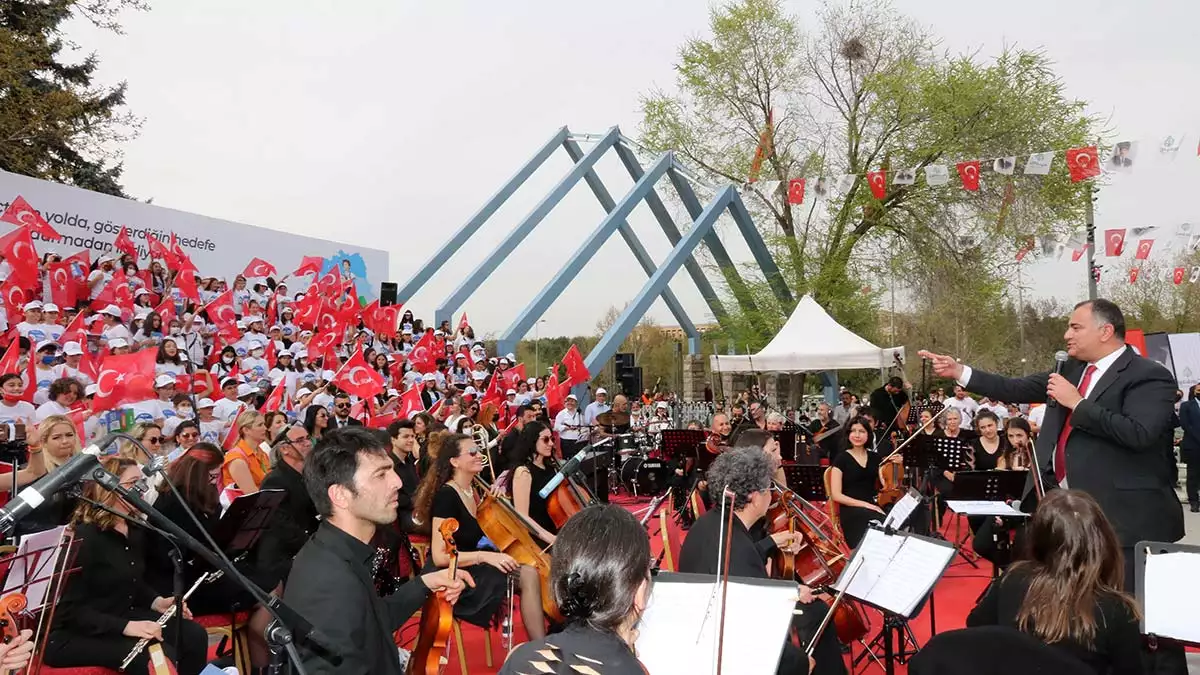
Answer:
(355, 487)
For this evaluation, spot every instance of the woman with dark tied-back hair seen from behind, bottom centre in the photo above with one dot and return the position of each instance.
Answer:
(601, 576)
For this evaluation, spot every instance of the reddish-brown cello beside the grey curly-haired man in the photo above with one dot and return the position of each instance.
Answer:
(821, 560)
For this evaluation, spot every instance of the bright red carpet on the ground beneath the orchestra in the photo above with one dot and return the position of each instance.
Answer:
(953, 599)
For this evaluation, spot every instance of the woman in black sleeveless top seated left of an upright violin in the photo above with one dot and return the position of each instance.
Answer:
(854, 481)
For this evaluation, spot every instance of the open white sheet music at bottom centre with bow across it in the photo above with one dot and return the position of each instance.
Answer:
(679, 632)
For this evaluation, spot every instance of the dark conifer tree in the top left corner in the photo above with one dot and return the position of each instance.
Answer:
(56, 124)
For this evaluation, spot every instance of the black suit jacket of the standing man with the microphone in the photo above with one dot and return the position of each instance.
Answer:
(1121, 445)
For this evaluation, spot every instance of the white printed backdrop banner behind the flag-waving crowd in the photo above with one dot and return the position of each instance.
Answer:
(219, 248)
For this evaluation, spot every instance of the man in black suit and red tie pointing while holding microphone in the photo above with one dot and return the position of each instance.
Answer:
(1111, 432)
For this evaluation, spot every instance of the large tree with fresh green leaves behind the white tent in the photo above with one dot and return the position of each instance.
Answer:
(867, 92)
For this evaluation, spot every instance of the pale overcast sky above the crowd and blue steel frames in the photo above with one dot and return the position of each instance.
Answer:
(388, 124)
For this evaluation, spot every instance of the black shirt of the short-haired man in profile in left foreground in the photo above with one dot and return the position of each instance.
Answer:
(332, 587)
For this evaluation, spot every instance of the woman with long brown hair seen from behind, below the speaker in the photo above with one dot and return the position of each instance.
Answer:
(1069, 593)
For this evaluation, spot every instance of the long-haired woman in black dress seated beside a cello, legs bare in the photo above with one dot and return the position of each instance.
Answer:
(448, 492)
